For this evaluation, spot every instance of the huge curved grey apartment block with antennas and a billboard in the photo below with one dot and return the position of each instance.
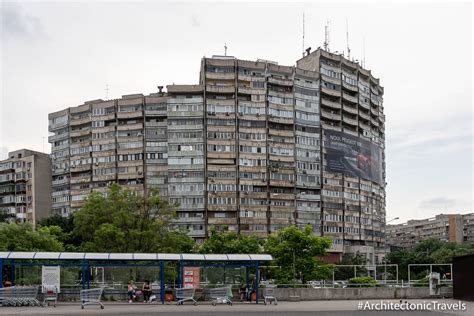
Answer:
(253, 148)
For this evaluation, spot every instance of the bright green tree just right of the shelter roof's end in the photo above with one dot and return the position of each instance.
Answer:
(296, 252)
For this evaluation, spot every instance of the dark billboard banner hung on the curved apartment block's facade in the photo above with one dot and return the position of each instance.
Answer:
(353, 156)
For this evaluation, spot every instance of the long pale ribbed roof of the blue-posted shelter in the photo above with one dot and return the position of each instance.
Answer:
(132, 256)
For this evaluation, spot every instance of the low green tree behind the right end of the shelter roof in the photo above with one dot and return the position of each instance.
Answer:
(231, 242)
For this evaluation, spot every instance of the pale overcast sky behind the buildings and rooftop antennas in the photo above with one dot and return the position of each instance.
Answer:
(56, 55)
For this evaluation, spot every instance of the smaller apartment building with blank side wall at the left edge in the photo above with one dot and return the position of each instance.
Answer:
(25, 186)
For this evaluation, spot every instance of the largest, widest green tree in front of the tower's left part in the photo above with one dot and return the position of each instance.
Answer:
(125, 221)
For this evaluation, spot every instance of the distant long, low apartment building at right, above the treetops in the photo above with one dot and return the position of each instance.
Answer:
(442, 227)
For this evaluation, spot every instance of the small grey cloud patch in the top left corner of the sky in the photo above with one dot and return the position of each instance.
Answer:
(16, 23)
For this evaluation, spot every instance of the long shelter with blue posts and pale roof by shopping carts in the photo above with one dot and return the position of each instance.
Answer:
(84, 269)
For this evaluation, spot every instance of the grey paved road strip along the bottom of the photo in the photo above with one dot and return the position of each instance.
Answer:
(320, 308)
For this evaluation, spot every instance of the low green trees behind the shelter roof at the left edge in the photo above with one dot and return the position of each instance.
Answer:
(22, 237)
